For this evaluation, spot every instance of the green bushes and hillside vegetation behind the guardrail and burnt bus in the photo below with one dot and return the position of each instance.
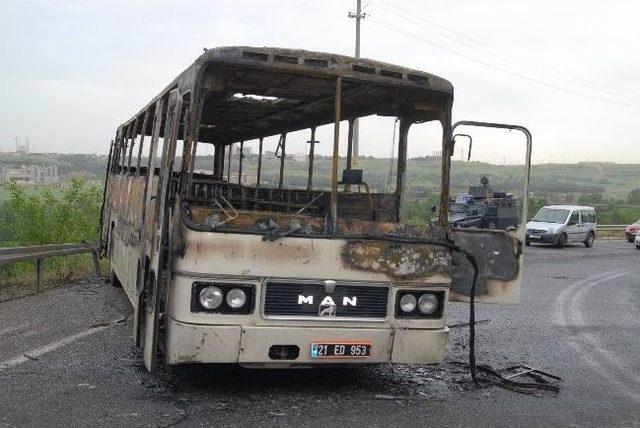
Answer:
(70, 213)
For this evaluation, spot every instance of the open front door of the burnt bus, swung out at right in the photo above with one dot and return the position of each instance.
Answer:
(498, 250)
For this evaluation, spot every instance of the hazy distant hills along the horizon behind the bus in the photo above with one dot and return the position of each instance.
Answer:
(554, 181)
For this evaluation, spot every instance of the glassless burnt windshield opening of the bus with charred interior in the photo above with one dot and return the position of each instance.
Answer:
(247, 100)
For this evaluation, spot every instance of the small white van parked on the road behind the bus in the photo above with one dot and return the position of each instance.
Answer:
(563, 224)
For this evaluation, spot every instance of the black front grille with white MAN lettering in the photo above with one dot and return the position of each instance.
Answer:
(314, 299)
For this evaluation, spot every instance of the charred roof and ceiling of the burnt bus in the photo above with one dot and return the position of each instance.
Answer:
(252, 92)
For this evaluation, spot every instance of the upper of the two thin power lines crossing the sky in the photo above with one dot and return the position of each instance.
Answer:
(545, 69)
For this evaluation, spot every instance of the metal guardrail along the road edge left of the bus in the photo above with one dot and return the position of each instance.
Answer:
(41, 252)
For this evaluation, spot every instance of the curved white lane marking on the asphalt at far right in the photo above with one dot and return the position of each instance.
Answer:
(565, 315)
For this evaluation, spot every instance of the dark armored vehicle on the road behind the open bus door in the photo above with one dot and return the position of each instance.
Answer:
(483, 208)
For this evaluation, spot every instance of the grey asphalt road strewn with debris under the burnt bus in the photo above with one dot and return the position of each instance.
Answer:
(65, 360)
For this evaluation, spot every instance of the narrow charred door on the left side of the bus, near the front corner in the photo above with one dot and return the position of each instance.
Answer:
(158, 214)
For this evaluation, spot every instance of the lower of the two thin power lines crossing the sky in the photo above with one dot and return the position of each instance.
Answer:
(497, 67)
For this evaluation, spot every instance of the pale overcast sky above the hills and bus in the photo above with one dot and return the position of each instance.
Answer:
(72, 71)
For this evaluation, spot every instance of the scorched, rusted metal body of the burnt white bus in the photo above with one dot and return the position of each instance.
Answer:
(168, 230)
